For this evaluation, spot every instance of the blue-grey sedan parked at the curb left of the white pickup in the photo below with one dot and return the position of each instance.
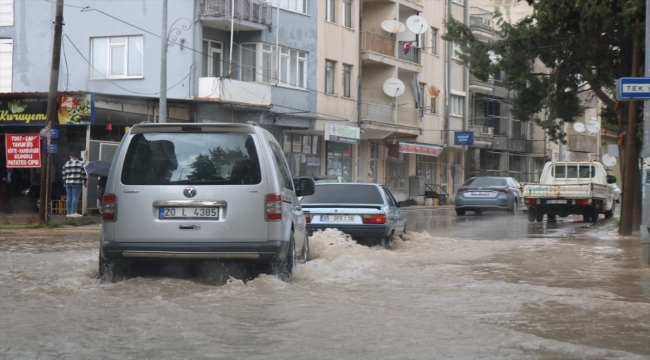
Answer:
(488, 193)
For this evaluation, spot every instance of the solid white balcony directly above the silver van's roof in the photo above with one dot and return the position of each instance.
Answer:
(228, 90)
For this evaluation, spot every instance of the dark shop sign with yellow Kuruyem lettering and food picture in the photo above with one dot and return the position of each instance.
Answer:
(72, 109)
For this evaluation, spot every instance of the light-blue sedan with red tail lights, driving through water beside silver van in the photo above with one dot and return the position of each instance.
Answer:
(367, 212)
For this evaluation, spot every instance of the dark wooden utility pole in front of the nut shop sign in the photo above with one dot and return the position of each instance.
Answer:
(51, 112)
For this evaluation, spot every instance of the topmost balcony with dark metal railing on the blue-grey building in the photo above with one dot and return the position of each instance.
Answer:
(249, 14)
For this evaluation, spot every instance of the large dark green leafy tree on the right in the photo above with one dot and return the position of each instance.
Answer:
(584, 47)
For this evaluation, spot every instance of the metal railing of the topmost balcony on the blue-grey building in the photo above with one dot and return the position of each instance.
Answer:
(252, 10)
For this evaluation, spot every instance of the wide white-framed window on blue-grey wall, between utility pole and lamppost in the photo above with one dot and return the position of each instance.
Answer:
(116, 57)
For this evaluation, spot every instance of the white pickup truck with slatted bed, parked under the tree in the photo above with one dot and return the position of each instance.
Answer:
(569, 187)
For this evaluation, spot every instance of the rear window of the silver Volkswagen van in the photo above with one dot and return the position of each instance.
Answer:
(191, 159)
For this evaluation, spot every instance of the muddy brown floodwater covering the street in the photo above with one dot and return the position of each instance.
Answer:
(464, 287)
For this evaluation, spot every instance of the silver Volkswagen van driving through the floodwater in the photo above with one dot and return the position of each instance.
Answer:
(218, 191)
